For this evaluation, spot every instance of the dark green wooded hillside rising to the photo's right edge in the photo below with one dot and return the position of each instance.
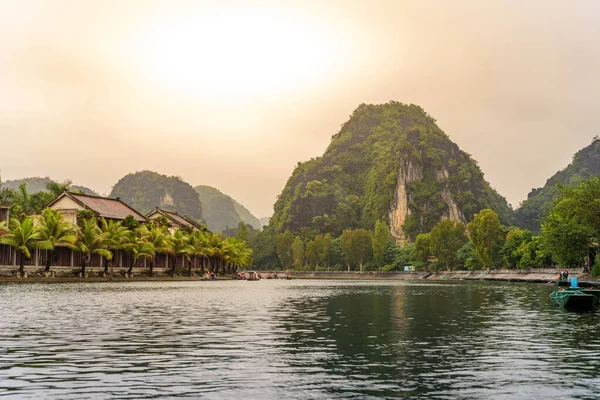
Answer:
(585, 164)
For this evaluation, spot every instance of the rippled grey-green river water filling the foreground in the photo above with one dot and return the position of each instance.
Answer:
(294, 339)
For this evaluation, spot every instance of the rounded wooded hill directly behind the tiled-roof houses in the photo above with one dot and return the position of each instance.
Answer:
(147, 190)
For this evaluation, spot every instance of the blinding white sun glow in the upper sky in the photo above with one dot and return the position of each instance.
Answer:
(236, 56)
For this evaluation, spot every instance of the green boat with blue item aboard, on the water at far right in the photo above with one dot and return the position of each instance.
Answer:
(576, 297)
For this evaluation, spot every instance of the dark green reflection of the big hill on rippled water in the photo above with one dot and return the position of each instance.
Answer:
(395, 339)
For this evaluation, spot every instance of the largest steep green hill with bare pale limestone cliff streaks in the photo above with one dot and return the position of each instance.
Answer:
(389, 162)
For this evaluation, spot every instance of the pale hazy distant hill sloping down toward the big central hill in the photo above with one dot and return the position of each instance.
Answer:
(221, 211)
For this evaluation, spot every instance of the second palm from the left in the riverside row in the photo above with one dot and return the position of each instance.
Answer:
(54, 231)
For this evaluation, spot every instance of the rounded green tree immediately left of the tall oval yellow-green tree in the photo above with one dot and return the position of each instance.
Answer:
(447, 237)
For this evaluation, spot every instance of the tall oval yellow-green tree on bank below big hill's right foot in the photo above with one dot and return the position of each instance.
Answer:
(485, 232)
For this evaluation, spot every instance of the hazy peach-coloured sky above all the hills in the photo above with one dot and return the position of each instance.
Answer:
(233, 94)
